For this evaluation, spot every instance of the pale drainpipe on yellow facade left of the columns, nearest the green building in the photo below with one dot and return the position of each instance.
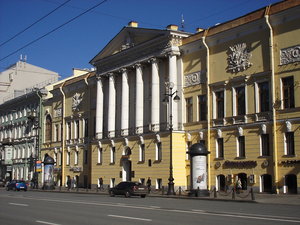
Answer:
(63, 135)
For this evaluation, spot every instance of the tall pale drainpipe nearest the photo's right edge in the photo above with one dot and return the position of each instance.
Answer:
(273, 100)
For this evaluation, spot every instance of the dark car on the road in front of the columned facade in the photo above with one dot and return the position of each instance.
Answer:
(128, 189)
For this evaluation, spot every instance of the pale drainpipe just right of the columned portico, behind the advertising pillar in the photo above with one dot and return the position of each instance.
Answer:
(208, 106)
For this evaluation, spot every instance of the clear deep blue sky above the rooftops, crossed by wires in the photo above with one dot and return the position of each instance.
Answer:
(76, 43)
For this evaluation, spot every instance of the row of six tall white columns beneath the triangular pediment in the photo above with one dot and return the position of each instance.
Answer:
(139, 108)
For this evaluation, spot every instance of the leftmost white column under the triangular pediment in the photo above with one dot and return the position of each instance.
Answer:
(99, 109)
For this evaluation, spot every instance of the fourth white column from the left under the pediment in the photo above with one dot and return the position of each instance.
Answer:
(139, 106)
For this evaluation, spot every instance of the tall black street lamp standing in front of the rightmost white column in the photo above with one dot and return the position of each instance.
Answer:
(168, 100)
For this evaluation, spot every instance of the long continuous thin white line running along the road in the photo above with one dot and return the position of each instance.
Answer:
(230, 214)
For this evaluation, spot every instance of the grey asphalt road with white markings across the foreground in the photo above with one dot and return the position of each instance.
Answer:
(35, 208)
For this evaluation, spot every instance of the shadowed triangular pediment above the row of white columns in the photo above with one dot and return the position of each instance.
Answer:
(127, 38)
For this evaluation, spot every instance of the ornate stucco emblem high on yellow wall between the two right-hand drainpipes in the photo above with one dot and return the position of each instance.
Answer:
(239, 58)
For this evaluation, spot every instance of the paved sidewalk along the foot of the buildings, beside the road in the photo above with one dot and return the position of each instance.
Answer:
(283, 199)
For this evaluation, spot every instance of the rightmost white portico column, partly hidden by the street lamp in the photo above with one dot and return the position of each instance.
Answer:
(173, 79)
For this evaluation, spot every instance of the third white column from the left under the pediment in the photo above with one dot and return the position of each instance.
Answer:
(125, 103)
